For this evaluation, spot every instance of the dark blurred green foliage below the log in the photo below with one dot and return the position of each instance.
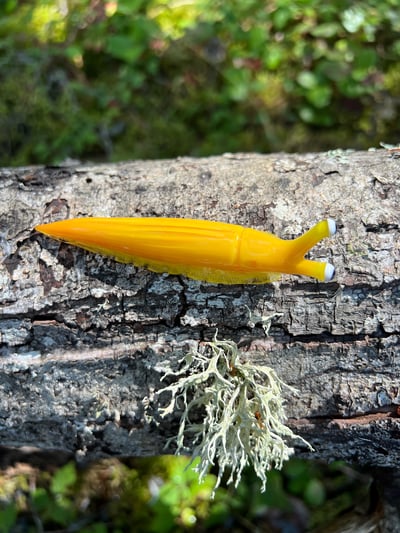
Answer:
(162, 495)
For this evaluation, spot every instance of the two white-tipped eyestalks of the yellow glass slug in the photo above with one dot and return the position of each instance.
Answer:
(306, 267)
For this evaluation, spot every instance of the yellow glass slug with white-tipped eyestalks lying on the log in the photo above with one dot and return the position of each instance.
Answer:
(216, 252)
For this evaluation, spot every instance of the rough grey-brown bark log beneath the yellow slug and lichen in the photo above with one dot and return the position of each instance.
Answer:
(84, 339)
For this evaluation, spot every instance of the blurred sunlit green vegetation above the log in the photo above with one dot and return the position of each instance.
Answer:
(127, 79)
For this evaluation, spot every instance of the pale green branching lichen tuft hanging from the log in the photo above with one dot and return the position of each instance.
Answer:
(242, 404)
